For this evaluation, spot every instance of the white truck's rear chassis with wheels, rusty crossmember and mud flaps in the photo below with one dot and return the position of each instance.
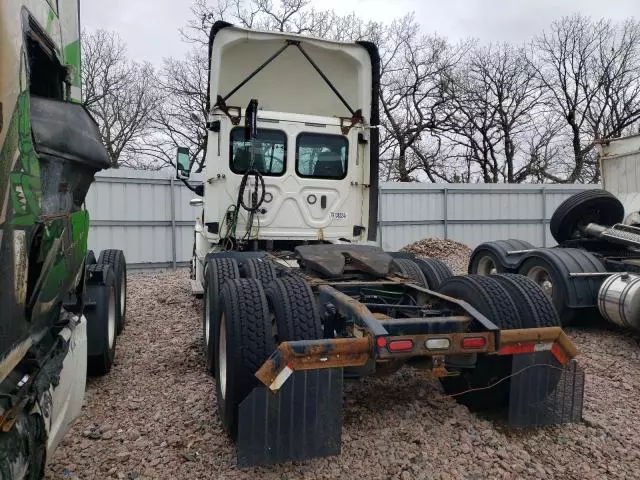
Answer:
(282, 398)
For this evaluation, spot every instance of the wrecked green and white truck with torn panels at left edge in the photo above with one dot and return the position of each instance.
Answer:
(60, 307)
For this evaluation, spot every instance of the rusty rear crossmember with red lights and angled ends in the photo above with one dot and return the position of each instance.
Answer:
(356, 352)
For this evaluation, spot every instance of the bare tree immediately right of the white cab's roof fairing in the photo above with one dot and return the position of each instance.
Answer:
(413, 68)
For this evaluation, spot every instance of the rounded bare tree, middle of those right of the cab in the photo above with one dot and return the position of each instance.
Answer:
(493, 97)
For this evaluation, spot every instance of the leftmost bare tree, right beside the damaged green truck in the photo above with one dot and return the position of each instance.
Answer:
(120, 94)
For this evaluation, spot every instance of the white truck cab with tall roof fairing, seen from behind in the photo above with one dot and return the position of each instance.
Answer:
(309, 174)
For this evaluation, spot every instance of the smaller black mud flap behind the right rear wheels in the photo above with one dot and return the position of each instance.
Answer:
(545, 392)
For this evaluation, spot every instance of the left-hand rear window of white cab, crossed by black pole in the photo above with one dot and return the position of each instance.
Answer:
(270, 152)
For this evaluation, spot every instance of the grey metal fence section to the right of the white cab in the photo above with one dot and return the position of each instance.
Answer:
(470, 214)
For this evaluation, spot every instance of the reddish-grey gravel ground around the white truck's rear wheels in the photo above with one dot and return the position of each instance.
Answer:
(154, 415)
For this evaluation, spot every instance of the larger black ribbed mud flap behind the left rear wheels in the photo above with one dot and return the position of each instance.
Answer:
(302, 420)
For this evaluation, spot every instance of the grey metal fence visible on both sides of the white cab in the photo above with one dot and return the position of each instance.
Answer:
(147, 214)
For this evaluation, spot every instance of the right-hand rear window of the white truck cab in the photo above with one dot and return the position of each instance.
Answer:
(320, 155)
